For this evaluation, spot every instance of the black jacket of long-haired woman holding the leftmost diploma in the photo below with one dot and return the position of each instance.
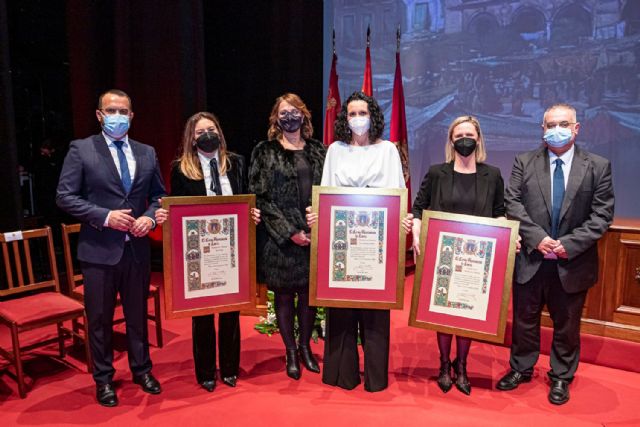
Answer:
(183, 186)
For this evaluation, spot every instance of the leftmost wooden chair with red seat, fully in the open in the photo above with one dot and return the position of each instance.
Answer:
(34, 303)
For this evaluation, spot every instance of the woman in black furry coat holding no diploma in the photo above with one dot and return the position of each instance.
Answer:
(283, 170)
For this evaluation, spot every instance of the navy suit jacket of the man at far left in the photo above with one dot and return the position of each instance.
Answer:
(90, 186)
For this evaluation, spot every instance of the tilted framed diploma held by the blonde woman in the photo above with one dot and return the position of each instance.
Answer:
(463, 276)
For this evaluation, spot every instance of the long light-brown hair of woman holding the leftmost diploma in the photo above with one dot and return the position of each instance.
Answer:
(188, 154)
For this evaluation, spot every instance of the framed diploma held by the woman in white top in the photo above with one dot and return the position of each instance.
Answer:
(358, 247)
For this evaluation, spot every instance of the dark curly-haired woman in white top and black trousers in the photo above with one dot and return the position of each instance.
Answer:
(359, 158)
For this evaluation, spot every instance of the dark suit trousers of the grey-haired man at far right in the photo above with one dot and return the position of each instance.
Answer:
(565, 310)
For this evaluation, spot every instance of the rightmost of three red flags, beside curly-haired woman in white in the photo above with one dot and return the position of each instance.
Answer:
(398, 133)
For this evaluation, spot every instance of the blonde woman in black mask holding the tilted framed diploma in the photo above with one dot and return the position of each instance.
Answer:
(464, 184)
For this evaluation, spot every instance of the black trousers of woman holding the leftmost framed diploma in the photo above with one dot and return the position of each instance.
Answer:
(204, 345)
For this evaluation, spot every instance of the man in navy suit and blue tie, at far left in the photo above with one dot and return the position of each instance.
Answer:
(112, 184)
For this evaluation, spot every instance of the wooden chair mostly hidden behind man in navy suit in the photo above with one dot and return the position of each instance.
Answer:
(76, 287)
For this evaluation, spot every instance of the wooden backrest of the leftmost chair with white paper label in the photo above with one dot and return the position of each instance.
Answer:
(22, 254)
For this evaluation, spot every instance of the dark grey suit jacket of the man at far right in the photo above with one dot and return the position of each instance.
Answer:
(586, 213)
